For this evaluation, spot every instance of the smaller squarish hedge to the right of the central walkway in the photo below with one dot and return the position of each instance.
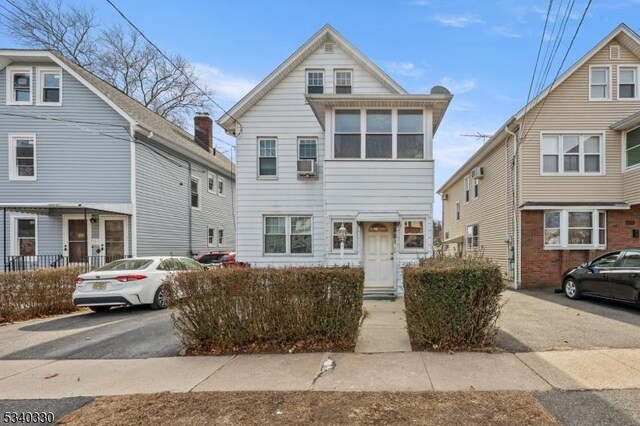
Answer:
(453, 303)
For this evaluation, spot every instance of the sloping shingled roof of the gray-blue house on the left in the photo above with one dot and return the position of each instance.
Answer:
(130, 109)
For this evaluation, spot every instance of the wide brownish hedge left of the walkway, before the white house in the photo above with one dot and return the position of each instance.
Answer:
(253, 310)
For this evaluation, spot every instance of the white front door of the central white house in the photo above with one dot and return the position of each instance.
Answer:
(378, 256)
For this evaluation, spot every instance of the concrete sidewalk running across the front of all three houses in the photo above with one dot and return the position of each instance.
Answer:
(406, 371)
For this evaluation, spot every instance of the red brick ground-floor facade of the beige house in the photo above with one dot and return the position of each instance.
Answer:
(544, 268)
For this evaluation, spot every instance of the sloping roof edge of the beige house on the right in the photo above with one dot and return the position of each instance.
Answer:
(625, 36)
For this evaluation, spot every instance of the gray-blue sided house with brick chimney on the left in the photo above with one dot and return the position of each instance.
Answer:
(88, 174)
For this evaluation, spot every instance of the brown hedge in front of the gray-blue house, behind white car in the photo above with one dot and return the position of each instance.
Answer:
(33, 294)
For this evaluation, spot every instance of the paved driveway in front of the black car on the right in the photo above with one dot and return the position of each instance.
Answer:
(540, 320)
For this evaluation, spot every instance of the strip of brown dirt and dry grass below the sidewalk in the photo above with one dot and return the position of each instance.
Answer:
(430, 408)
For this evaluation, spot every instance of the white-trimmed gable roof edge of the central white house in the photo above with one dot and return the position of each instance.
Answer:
(326, 33)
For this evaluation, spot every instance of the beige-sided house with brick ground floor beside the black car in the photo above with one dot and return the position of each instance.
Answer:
(559, 183)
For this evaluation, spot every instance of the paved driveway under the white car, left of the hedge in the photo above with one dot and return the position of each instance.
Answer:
(132, 332)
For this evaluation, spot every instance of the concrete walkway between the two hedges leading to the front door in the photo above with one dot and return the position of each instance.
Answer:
(384, 328)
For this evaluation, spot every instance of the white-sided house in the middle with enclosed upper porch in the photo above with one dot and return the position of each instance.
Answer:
(329, 147)
